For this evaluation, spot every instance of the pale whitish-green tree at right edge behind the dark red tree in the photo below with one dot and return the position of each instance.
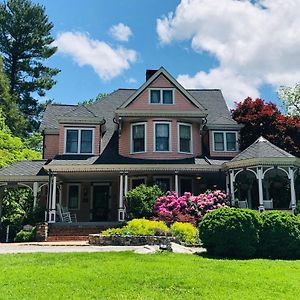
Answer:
(290, 97)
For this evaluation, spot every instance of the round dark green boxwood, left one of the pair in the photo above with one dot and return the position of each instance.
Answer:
(230, 232)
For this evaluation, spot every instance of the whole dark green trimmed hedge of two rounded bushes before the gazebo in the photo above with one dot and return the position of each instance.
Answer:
(244, 233)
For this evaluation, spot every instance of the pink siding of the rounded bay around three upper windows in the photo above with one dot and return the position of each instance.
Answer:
(125, 141)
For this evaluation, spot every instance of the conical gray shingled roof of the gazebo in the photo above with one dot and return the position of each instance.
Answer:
(263, 152)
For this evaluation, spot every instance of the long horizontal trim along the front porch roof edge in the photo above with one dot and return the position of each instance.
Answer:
(130, 167)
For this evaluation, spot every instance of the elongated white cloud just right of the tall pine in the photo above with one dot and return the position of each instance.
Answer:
(106, 61)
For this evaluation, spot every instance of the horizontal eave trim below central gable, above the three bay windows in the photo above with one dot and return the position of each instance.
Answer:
(157, 113)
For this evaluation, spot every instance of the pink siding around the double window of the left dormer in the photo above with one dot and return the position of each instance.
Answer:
(97, 140)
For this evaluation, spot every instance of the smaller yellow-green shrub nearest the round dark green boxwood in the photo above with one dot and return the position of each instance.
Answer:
(186, 232)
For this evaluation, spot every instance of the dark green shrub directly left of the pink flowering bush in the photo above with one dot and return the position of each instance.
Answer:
(140, 201)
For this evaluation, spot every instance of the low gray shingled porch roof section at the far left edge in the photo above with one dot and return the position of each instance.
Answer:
(24, 168)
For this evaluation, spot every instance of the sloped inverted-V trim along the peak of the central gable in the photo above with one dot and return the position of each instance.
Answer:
(171, 79)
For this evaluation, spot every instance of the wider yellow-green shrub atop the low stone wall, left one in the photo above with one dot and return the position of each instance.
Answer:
(140, 227)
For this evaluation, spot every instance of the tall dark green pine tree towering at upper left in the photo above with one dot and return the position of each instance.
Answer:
(25, 43)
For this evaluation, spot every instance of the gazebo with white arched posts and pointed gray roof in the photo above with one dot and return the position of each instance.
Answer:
(263, 177)
